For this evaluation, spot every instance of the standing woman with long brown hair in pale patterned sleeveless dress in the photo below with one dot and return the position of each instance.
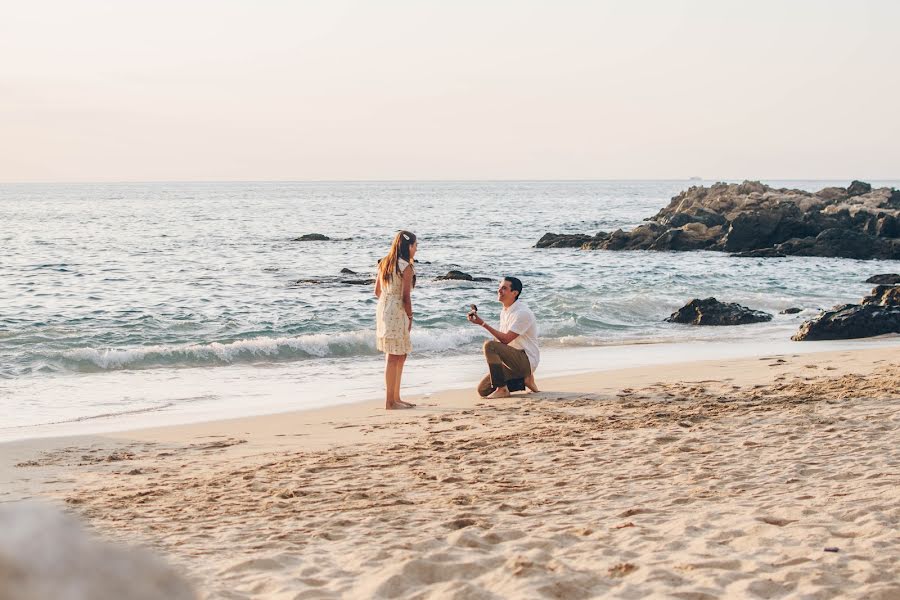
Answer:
(393, 317)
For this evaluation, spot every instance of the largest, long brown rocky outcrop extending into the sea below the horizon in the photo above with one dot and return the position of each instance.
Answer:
(755, 220)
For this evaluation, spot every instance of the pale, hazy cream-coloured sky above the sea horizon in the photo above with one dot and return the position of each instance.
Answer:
(135, 90)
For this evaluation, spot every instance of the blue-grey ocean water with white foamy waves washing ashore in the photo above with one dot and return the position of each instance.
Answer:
(165, 302)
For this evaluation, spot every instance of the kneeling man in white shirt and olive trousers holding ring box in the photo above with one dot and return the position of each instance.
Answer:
(513, 354)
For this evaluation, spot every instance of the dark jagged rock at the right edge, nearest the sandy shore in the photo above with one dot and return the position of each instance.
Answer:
(877, 314)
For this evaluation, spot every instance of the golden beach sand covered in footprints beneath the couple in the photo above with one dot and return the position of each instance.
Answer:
(767, 477)
